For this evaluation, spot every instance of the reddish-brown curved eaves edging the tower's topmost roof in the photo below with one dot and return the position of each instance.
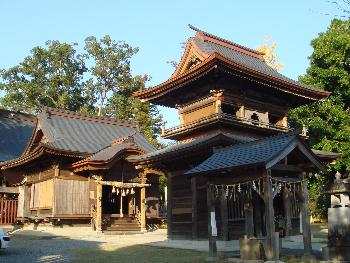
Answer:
(215, 60)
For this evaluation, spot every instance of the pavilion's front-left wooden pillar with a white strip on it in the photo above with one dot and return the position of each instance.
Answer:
(211, 228)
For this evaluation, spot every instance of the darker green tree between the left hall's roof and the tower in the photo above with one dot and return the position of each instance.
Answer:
(122, 105)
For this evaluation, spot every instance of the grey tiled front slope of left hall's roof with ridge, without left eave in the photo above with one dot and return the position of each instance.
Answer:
(69, 131)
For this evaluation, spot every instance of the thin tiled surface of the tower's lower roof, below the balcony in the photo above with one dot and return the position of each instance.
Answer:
(179, 147)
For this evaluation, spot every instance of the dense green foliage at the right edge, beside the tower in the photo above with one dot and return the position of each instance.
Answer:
(328, 121)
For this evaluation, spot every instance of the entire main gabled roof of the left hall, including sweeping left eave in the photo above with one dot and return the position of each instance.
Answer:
(77, 135)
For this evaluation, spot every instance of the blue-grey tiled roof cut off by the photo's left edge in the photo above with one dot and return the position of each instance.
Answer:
(15, 132)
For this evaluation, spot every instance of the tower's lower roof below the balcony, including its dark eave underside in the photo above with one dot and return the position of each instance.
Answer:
(180, 149)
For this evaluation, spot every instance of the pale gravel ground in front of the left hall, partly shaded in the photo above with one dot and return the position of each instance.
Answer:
(56, 245)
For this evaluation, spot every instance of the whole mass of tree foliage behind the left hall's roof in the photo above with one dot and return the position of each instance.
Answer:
(98, 80)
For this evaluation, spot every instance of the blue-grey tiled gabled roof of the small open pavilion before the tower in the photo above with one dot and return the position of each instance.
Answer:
(266, 152)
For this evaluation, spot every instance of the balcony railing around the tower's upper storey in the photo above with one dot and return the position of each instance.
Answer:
(224, 117)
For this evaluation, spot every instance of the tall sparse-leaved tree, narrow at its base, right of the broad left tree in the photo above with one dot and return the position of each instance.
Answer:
(110, 67)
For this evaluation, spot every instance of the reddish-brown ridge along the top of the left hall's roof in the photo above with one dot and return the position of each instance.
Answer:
(87, 117)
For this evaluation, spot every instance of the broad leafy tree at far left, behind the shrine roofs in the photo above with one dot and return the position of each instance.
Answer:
(50, 76)
